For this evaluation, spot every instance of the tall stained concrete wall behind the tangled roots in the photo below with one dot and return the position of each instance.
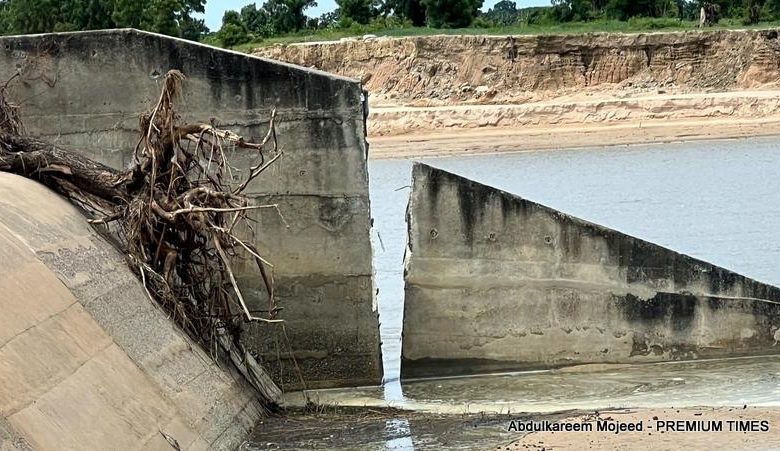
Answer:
(86, 90)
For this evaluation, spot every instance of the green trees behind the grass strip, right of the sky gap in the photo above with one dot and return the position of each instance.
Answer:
(280, 17)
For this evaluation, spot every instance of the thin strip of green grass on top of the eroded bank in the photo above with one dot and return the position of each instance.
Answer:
(611, 26)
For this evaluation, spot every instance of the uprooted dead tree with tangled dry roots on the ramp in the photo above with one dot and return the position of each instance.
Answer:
(174, 214)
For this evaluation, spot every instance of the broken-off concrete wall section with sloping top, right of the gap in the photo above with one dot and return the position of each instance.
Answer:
(496, 282)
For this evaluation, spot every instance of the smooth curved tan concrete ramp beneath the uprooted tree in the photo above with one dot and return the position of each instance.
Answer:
(87, 361)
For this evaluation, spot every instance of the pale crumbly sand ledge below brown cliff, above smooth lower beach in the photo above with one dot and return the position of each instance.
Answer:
(589, 110)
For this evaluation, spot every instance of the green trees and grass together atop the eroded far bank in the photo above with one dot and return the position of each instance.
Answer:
(424, 17)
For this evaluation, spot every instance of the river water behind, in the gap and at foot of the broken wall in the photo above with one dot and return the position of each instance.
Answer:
(718, 201)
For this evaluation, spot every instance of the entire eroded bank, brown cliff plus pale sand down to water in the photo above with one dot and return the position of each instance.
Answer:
(558, 84)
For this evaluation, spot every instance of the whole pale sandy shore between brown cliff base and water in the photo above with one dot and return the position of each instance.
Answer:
(586, 120)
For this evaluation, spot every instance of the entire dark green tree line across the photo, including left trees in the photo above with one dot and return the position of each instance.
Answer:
(281, 17)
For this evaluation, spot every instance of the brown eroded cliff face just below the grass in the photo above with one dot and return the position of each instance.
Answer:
(447, 70)
